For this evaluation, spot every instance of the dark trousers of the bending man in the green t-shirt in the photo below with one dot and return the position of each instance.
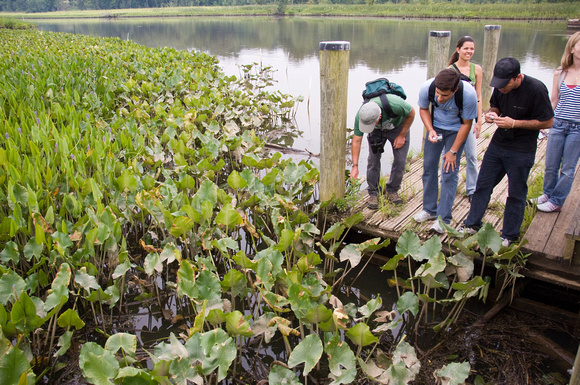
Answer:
(397, 168)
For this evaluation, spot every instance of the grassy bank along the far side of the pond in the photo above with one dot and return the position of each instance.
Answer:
(558, 11)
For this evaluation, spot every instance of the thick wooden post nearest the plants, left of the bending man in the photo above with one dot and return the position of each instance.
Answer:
(334, 60)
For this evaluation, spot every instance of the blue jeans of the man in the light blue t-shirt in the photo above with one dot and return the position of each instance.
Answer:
(431, 159)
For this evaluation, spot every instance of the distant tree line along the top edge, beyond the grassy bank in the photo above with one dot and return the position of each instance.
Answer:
(33, 6)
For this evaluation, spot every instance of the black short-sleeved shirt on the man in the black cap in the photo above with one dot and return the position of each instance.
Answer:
(530, 101)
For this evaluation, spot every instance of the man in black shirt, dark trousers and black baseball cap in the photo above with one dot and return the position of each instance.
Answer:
(520, 107)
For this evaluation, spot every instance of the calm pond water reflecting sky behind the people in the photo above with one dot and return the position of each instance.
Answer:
(396, 49)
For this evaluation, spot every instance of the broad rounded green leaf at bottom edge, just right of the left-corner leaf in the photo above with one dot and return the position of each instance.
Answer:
(98, 365)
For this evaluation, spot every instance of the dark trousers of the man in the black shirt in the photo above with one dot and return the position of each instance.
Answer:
(497, 162)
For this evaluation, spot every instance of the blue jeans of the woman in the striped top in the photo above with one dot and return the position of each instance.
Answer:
(562, 156)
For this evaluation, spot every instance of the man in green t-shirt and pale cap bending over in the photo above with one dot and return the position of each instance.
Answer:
(380, 127)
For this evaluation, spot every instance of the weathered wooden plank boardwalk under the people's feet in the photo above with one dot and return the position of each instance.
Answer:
(546, 235)
